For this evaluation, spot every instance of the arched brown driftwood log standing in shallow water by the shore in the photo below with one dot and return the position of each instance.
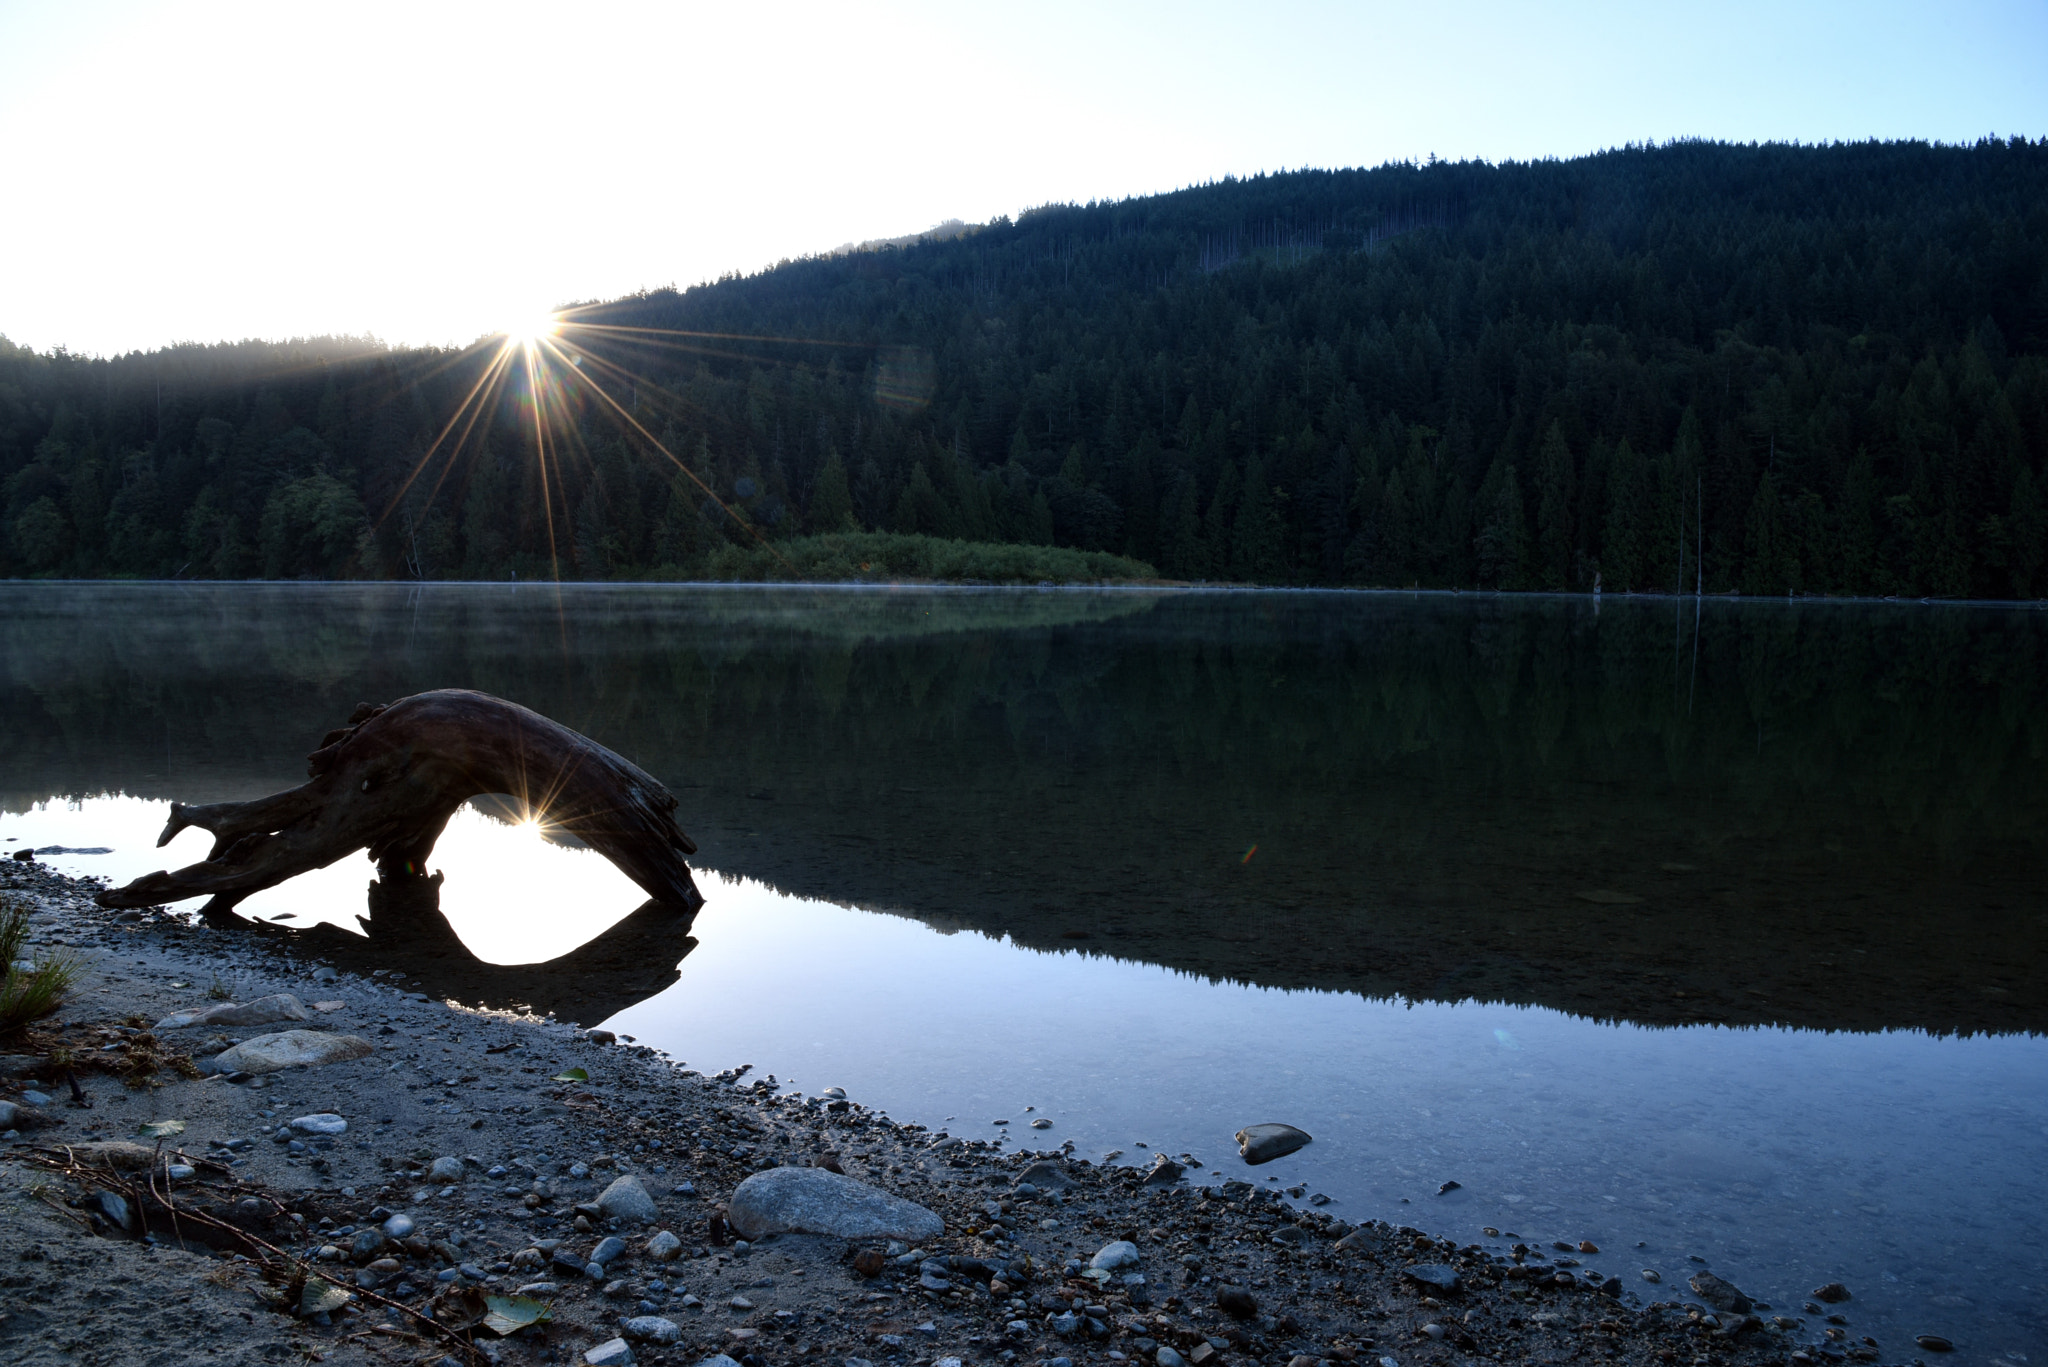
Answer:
(394, 776)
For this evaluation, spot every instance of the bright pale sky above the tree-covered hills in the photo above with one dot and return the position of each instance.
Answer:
(435, 173)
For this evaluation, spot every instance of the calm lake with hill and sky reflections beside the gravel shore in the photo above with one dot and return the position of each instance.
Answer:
(1693, 929)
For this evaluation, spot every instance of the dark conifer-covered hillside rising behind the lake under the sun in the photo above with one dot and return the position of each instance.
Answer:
(1828, 368)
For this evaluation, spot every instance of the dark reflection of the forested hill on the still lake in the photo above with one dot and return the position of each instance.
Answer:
(1783, 815)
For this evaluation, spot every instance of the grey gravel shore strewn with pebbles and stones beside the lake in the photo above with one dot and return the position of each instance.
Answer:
(470, 1161)
